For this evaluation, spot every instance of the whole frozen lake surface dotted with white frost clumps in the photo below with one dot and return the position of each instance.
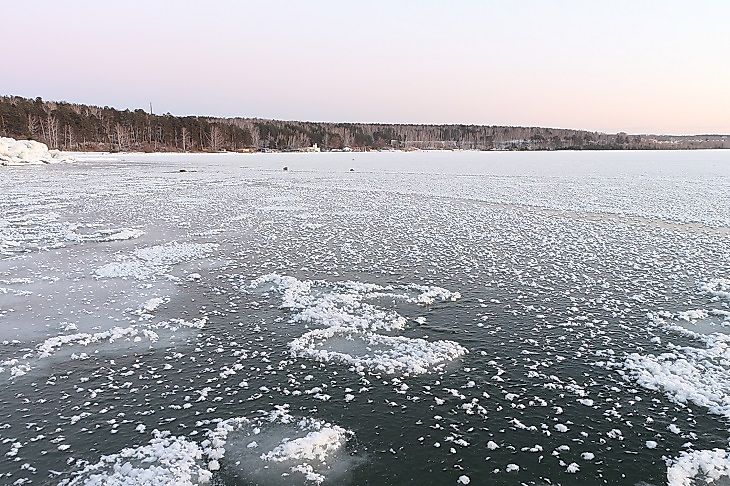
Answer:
(424, 318)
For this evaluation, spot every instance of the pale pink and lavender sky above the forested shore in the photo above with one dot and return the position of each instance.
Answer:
(638, 66)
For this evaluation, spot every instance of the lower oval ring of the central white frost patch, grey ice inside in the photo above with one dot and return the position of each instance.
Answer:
(375, 353)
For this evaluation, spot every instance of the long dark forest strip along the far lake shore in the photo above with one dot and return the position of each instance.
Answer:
(72, 126)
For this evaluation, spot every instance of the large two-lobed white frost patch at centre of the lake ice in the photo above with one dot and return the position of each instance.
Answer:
(351, 324)
